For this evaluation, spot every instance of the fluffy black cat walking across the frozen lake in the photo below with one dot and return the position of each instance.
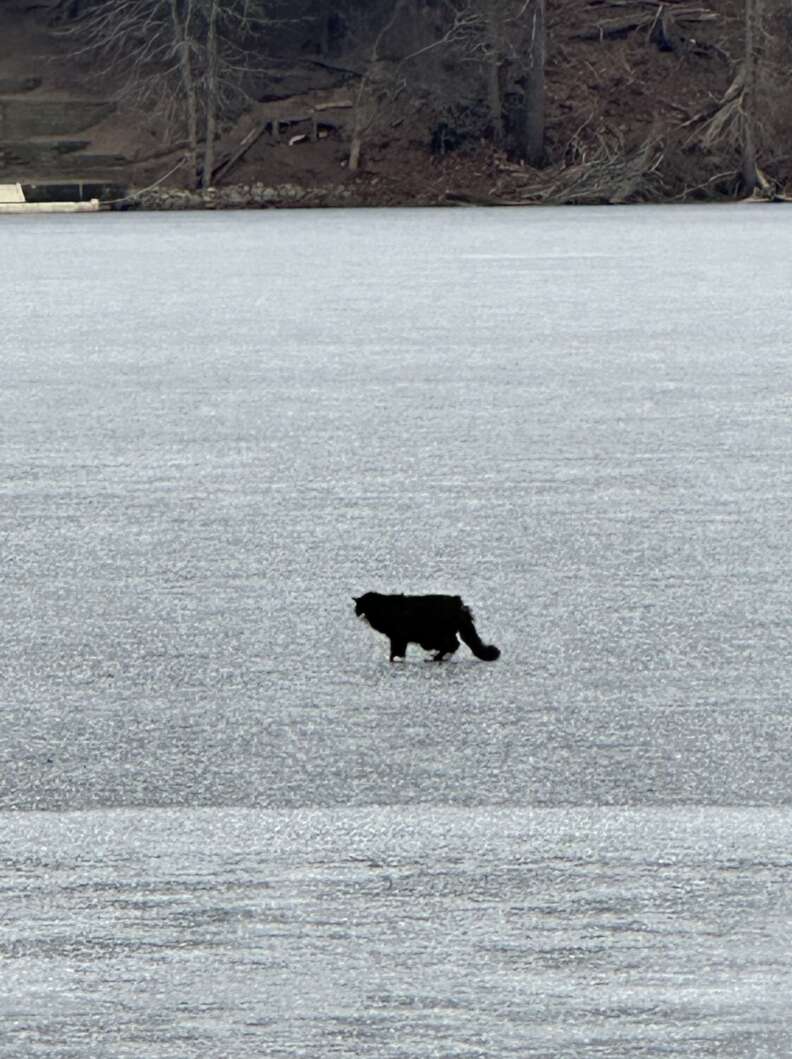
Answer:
(433, 621)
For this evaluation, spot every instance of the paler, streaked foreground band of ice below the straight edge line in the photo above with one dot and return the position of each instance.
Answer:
(397, 932)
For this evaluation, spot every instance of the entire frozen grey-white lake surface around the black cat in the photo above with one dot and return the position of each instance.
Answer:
(228, 828)
